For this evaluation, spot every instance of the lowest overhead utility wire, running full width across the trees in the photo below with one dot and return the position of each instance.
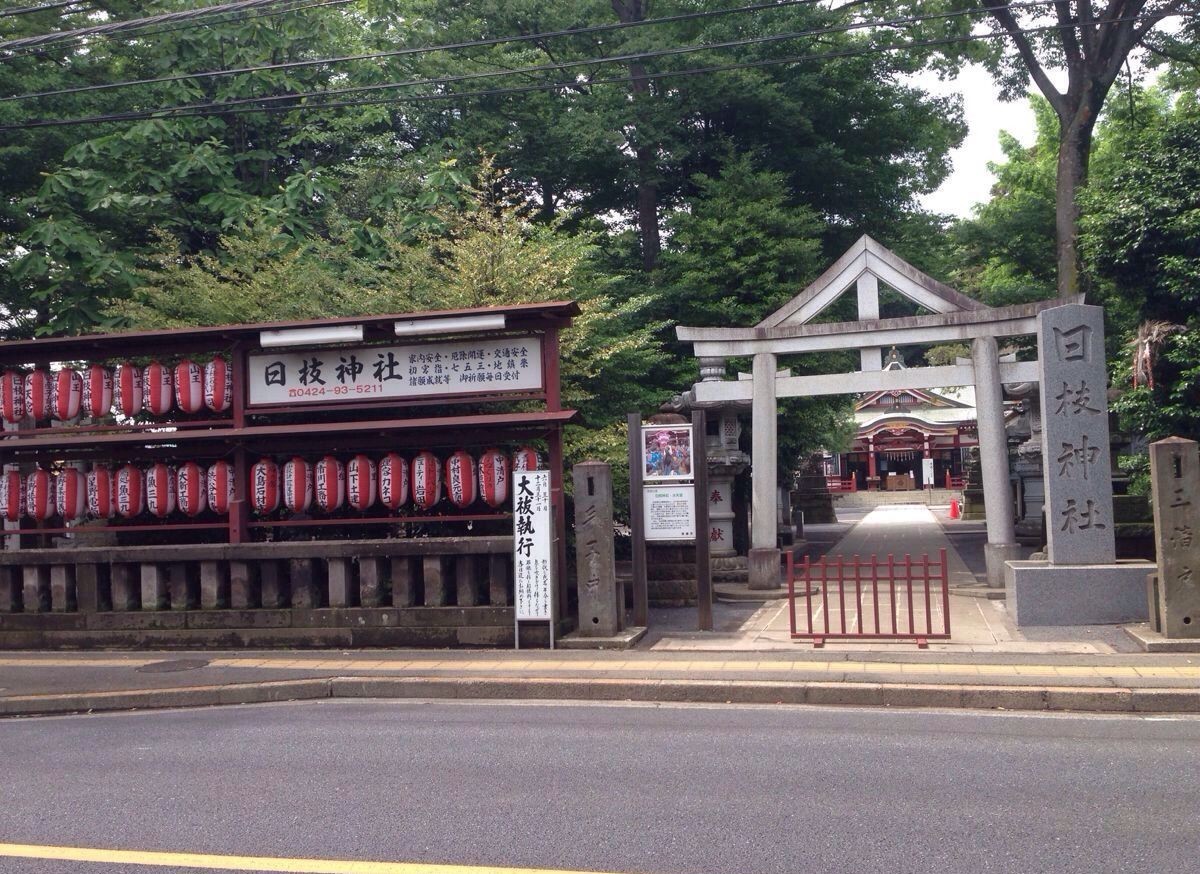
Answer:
(225, 110)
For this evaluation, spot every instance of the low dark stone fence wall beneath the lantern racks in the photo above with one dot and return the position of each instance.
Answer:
(421, 592)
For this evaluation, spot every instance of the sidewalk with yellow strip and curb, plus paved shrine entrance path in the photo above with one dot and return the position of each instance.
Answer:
(748, 660)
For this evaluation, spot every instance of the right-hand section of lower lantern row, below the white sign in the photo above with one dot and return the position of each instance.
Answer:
(361, 483)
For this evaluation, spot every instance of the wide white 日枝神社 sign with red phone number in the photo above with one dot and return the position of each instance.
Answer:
(400, 372)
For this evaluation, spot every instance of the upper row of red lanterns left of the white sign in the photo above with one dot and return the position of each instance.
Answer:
(129, 391)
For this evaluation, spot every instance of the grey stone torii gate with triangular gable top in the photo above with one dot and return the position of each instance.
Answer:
(790, 330)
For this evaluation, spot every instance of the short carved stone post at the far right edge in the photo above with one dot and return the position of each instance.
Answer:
(1175, 476)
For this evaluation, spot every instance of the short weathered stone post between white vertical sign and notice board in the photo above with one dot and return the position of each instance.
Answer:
(602, 600)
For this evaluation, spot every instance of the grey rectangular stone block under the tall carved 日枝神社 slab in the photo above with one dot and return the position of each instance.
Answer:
(1040, 594)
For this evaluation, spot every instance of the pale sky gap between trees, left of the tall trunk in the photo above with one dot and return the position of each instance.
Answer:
(987, 117)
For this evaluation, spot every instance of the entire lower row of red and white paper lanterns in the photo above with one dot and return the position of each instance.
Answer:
(161, 489)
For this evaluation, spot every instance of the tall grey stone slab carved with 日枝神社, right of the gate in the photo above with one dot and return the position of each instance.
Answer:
(1076, 430)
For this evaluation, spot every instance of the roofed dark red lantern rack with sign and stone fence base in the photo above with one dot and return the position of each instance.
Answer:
(263, 565)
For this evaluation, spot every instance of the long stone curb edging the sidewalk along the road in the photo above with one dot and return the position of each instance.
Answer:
(829, 695)
